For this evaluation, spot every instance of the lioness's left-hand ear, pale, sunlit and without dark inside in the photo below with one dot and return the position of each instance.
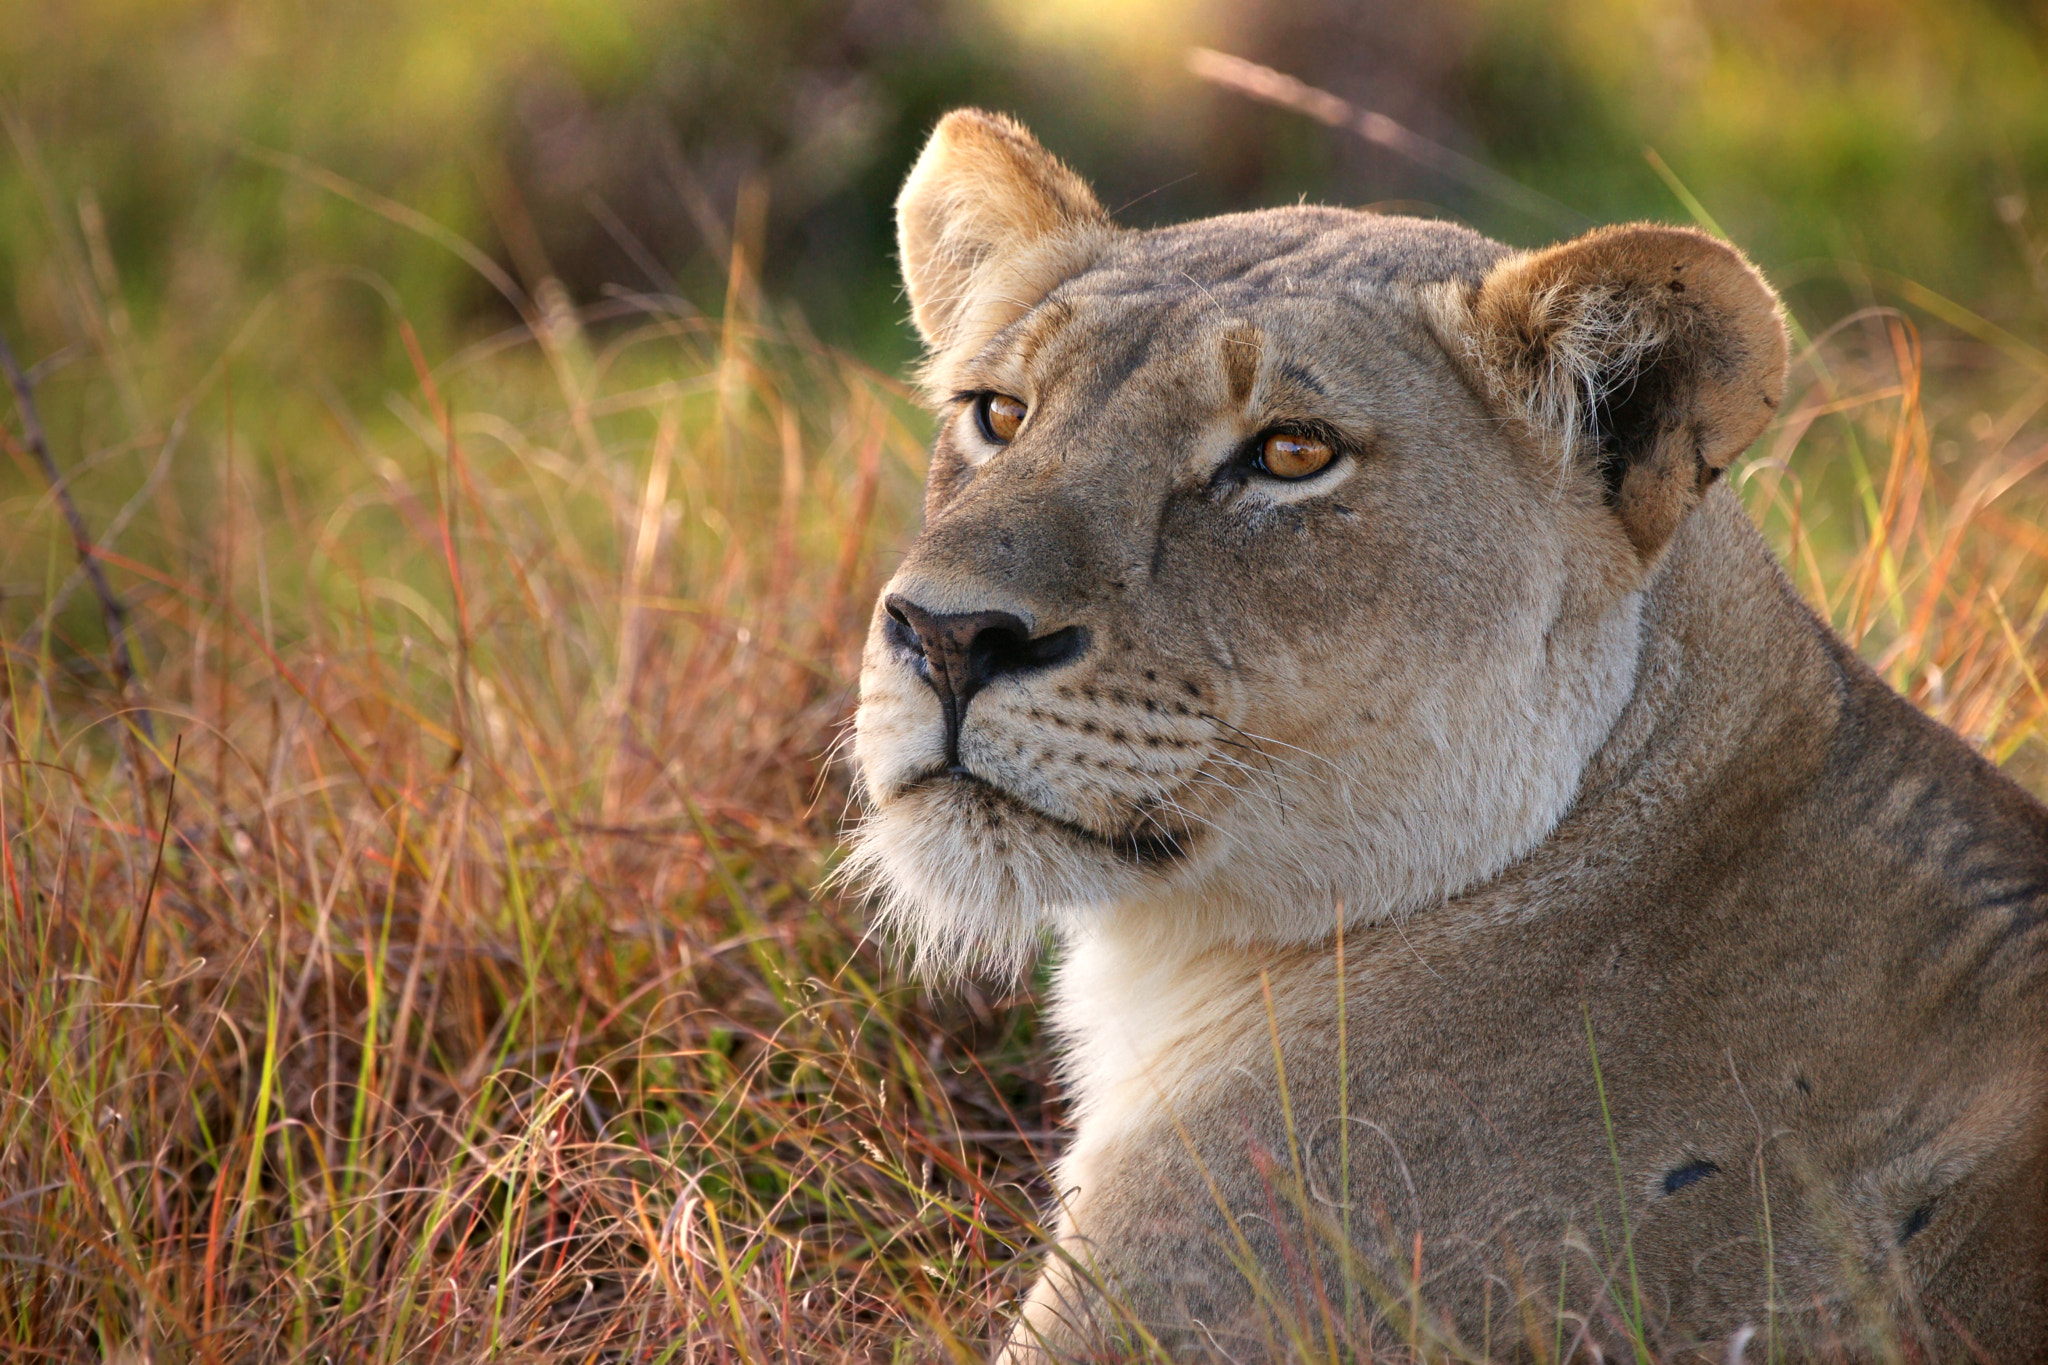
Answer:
(988, 224)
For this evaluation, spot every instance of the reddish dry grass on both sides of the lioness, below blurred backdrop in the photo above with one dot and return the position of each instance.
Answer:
(443, 973)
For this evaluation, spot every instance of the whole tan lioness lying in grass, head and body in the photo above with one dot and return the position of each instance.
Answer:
(1496, 916)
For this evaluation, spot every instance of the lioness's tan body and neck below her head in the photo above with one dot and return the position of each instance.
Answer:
(1803, 926)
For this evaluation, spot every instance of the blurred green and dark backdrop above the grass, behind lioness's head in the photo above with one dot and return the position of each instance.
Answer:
(609, 142)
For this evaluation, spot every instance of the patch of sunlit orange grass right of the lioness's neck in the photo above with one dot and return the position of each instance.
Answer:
(1910, 504)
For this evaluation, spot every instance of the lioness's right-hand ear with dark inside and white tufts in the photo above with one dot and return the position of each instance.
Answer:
(1648, 357)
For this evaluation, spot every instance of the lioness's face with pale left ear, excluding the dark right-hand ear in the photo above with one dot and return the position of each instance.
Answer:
(1238, 599)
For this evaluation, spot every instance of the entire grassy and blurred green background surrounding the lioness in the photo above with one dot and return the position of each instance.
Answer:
(417, 918)
